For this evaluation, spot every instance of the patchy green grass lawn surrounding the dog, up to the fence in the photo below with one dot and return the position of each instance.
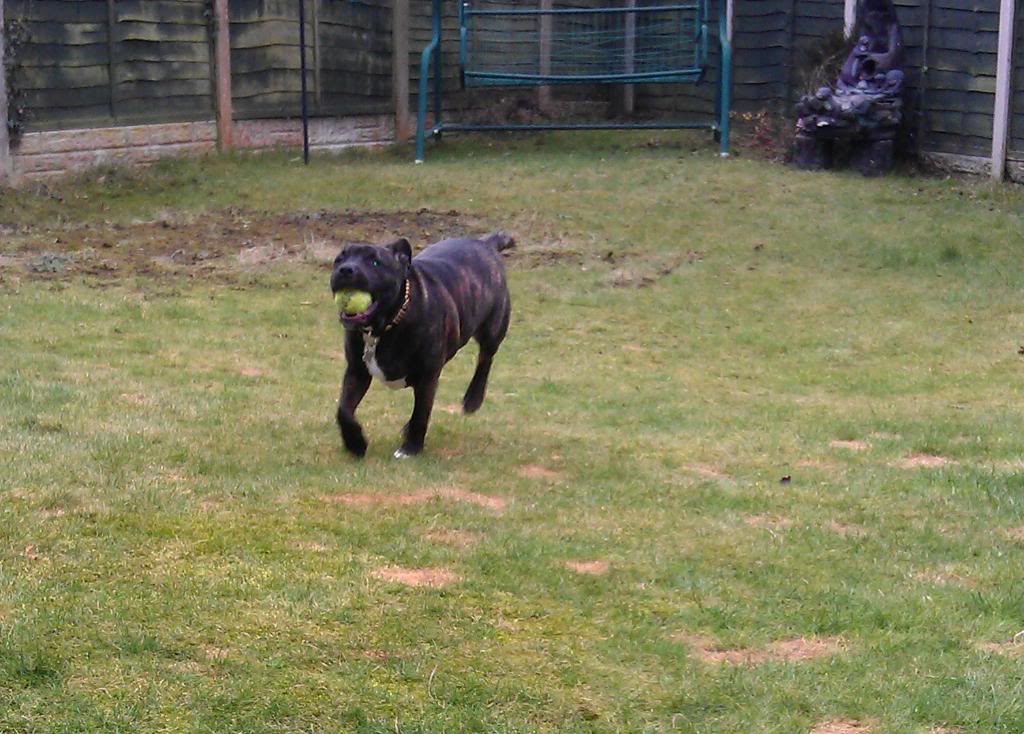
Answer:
(185, 547)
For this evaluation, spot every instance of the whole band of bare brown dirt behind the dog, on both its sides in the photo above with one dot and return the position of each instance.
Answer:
(230, 245)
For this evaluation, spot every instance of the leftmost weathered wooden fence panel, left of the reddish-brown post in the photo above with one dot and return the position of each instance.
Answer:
(77, 69)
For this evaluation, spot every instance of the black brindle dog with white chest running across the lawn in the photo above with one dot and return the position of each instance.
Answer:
(423, 312)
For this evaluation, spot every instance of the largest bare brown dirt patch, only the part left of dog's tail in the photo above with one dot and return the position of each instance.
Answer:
(216, 244)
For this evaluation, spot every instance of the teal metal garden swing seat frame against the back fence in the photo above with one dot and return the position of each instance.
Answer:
(719, 125)
